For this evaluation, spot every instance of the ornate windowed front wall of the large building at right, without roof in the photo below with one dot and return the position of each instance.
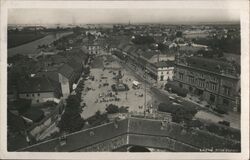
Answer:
(210, 79)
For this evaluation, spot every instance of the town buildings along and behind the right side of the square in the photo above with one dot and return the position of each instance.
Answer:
(214, 80)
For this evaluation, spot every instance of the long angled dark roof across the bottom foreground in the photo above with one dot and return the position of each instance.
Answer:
(138, 128)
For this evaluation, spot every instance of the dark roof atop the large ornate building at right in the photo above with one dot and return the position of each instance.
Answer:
(208, 64)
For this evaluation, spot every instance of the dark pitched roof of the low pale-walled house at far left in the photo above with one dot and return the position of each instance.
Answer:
(35, 85)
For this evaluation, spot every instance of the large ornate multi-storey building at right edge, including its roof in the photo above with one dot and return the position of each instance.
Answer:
(215, 81)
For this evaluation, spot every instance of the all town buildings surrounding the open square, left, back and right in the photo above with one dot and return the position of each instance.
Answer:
(213, 80)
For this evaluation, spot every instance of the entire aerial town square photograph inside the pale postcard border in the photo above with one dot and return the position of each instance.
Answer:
(123, 80)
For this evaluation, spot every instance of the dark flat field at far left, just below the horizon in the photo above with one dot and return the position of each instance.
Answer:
(16, 39)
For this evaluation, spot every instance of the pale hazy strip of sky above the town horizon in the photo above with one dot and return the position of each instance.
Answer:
(107, 16)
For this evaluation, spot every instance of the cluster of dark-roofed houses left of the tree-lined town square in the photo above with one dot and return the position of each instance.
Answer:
(57, 76)
